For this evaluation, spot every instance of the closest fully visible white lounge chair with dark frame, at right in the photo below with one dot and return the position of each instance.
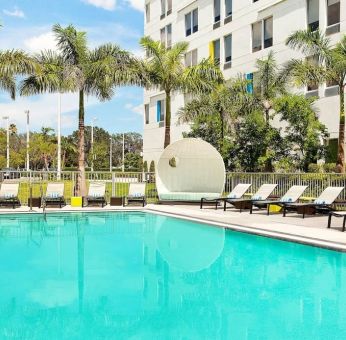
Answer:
(322, 203)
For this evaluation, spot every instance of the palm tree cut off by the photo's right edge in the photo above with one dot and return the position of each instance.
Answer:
(330, 68)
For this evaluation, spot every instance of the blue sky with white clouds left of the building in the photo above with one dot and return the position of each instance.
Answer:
(27, 25)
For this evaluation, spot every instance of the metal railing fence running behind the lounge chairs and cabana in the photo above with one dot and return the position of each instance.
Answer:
(117, 183)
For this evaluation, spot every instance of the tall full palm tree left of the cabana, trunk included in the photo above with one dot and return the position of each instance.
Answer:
(76, 68)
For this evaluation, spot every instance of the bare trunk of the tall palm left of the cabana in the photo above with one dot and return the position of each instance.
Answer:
(80, 184)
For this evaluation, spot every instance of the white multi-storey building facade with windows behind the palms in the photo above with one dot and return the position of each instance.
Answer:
(237, 33)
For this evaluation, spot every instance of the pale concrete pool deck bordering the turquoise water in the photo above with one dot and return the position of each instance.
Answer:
(312, 230)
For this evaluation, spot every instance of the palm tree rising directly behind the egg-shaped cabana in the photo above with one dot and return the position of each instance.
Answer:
(165, 69)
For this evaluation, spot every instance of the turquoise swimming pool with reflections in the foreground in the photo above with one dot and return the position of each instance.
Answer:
(136, 275)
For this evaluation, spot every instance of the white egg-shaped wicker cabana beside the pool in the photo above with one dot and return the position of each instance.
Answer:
(189, 170)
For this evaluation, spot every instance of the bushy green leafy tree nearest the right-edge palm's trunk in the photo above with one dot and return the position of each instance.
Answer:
(304, 131)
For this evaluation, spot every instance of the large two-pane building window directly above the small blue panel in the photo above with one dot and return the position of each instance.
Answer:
(262, 34)
